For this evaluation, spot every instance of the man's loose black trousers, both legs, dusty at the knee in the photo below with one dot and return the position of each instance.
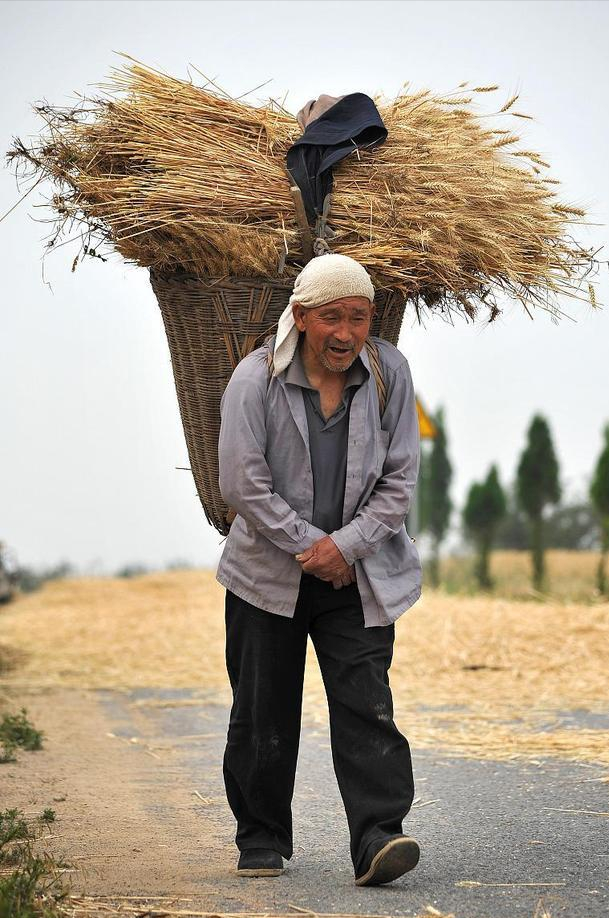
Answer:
(265, 658)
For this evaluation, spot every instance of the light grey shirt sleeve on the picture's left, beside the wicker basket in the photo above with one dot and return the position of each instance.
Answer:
(244, 476)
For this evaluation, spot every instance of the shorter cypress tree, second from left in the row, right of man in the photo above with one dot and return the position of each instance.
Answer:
(484, 509)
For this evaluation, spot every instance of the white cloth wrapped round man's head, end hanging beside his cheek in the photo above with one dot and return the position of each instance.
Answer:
(324, 279)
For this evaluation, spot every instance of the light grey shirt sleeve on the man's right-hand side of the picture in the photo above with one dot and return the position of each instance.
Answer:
(383, 514)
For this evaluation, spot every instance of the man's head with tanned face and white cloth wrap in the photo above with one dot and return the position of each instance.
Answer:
(333, 304)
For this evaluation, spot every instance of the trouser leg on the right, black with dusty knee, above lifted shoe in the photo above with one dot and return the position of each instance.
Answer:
(371, 757)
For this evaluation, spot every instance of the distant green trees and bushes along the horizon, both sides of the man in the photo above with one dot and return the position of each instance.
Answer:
(528, 516)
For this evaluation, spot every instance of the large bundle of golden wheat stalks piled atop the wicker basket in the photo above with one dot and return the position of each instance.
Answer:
(448, 210)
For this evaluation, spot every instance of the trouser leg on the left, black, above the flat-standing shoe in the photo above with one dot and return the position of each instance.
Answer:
(265, 657)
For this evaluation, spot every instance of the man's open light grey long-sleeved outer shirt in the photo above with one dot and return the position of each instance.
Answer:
(266, 476)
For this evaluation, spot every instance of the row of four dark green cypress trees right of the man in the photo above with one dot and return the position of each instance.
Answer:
(487, 506)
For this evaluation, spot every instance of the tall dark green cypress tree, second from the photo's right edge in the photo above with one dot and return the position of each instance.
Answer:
(537, 485)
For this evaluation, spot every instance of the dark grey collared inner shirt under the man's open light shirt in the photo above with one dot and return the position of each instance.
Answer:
(328, 441)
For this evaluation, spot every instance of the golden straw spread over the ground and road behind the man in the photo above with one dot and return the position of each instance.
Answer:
(473, 676)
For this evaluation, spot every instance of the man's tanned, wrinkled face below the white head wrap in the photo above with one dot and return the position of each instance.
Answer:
(335, 332)
